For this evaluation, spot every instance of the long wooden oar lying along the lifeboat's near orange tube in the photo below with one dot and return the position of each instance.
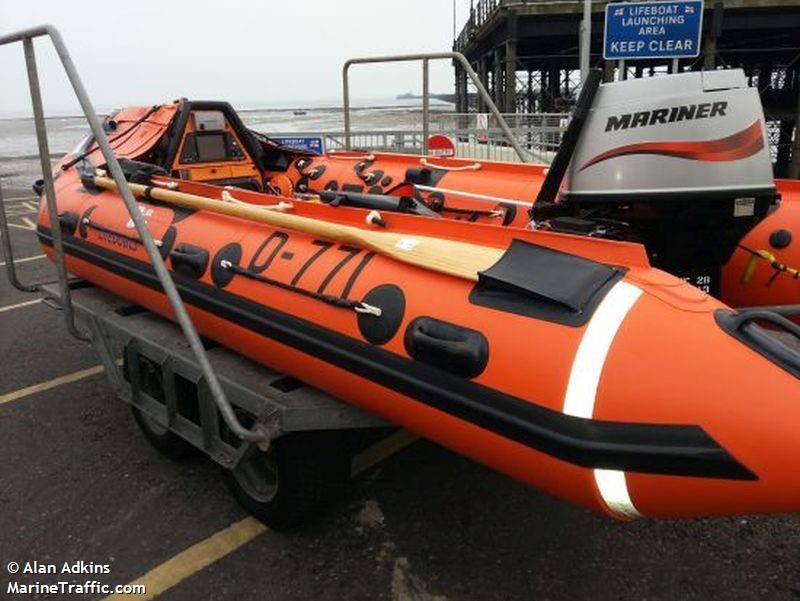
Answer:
(458, 259)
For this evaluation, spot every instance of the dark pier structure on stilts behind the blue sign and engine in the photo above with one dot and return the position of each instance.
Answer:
(526, 53)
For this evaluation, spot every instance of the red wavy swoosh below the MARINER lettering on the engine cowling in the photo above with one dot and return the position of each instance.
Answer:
(740, 145)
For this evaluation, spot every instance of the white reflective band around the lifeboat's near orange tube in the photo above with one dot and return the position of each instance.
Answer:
(585, 378)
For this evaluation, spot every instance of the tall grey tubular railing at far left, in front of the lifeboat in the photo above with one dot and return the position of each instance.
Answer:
(257, 434)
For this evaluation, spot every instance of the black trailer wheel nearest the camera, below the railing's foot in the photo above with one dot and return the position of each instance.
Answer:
(297, 476)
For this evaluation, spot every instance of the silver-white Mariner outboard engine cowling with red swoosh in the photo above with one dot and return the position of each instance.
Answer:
(696, 134)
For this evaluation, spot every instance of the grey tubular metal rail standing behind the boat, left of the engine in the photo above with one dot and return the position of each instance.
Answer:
(425, 58)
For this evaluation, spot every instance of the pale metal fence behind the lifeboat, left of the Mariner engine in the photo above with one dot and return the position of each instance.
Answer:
(476, 136)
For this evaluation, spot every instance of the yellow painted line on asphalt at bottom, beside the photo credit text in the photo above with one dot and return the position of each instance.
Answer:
(195, 558)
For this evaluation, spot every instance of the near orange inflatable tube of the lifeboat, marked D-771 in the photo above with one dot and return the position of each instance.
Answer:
(532, 398)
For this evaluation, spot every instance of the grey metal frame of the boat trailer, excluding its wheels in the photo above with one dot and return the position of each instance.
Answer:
(139, 336)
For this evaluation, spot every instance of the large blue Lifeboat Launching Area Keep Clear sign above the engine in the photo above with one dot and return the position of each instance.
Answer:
(640, 30)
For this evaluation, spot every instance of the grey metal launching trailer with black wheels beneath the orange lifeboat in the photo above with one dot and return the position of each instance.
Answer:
(312, 436)
